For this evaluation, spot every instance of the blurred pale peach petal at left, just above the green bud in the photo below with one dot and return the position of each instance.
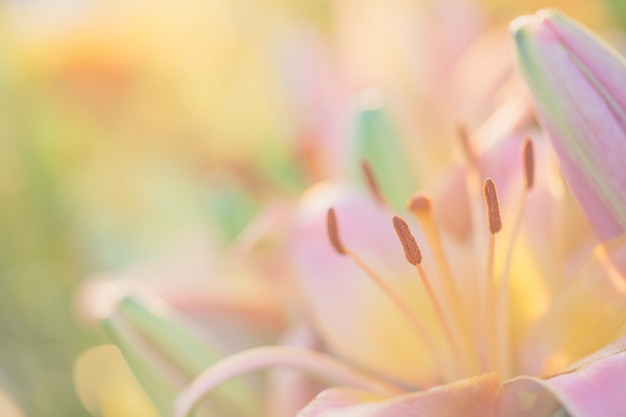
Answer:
(190, 278)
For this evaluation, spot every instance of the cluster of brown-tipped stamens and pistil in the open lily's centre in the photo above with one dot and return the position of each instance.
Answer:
(473, 351)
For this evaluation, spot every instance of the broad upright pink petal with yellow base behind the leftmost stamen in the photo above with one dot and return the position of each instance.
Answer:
(353, 316)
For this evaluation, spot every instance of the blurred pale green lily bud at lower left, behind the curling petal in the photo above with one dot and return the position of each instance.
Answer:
(166, 353)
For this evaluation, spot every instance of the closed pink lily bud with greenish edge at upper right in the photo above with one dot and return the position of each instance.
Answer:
(576, 81)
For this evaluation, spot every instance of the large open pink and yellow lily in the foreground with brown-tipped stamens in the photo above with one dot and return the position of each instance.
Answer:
(481, 328)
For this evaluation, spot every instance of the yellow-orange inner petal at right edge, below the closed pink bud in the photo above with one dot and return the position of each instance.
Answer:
(600, 283)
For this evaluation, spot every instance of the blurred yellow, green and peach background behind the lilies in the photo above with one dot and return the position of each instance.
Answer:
(127, 127)
